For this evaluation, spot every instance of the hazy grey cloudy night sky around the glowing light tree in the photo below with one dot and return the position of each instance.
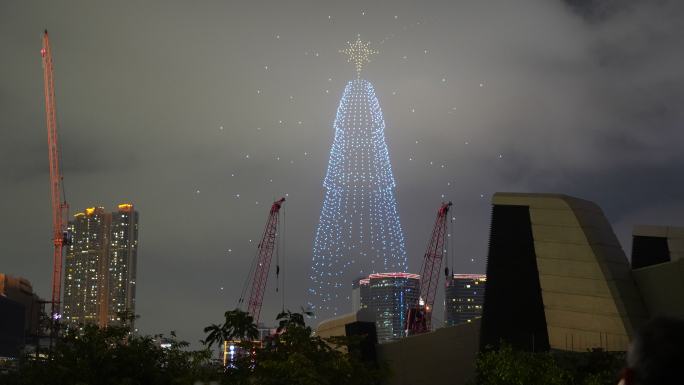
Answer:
(203, 113)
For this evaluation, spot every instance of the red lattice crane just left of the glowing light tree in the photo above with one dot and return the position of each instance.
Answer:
(263, 262)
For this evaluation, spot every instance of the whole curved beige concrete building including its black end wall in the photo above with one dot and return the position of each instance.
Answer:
(557, 277)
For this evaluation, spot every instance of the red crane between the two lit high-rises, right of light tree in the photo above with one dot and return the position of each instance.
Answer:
(419, 317)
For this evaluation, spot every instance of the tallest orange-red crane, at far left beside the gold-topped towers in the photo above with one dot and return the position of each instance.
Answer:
(60, 207)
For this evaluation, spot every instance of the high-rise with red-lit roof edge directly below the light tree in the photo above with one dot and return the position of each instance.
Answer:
(389, 296)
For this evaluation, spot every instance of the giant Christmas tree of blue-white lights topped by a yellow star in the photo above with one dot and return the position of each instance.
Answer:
(359, 232)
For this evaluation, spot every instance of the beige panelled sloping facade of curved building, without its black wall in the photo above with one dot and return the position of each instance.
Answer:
(589, 296)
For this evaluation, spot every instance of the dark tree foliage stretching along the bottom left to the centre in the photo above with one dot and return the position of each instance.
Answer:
(115, 356)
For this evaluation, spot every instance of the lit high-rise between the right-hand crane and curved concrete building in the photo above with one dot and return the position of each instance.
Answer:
(463, 298)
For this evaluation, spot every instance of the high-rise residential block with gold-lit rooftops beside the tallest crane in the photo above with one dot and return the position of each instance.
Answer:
(100, 266)
